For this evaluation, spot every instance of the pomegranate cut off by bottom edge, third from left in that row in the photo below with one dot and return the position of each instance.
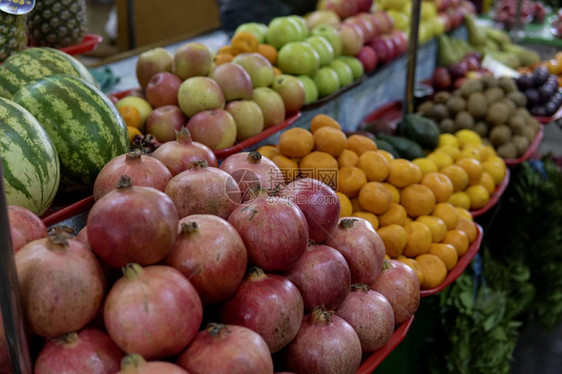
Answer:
(227, 349)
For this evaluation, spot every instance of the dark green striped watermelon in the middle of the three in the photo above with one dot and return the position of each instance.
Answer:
(84, 125)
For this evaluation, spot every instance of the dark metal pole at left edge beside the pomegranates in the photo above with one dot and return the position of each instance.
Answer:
(10, 303)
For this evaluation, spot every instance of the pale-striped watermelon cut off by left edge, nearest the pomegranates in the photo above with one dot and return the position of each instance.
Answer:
(29, 160)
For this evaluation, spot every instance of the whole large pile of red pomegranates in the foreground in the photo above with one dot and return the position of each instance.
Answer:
(207, 270)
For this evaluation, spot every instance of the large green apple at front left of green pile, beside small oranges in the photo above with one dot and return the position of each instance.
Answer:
(298, 58)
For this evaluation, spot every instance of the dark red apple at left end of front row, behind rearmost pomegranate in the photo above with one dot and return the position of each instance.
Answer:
(164, 121)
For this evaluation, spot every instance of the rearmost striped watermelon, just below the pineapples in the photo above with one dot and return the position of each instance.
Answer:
(35, 63)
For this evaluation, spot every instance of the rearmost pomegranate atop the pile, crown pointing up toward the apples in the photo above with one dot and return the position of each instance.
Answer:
(179, 154)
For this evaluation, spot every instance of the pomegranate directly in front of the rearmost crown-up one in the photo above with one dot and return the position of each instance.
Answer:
(204, 190)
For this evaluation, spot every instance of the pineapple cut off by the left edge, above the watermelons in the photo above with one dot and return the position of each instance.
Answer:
(13, 34)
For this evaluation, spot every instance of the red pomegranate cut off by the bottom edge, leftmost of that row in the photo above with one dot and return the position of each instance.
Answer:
(89, 351)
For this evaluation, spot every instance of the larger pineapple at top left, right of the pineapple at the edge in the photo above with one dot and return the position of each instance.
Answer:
(57, 23)
